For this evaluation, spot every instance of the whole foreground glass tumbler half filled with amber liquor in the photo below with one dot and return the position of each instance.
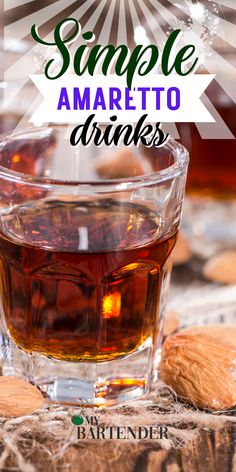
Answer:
(85, 259)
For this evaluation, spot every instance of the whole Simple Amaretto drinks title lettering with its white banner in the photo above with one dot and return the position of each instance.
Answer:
(108, 84)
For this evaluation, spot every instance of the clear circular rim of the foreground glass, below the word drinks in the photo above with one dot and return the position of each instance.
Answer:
(179, 152)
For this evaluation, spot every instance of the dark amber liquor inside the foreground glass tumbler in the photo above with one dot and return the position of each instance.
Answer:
(82, 282)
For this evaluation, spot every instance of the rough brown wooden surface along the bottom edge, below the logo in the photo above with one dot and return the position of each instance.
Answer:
(211, 452)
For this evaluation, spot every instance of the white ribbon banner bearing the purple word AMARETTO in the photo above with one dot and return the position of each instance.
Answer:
(71, 99)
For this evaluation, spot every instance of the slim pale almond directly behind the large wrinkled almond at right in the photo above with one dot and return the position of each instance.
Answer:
(224, 333)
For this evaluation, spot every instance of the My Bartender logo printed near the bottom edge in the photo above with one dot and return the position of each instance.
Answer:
(90, 428)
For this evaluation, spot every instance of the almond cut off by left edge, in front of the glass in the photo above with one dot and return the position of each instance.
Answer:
(18, 397)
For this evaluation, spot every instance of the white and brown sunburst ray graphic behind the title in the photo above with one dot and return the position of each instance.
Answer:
(210, 25)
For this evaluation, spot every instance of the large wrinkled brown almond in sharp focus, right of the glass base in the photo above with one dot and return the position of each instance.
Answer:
(196, 374)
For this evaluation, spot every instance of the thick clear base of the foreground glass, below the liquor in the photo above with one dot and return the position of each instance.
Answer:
(84, 384)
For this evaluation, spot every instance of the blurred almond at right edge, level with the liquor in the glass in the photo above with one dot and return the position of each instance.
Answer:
(221, 268)
